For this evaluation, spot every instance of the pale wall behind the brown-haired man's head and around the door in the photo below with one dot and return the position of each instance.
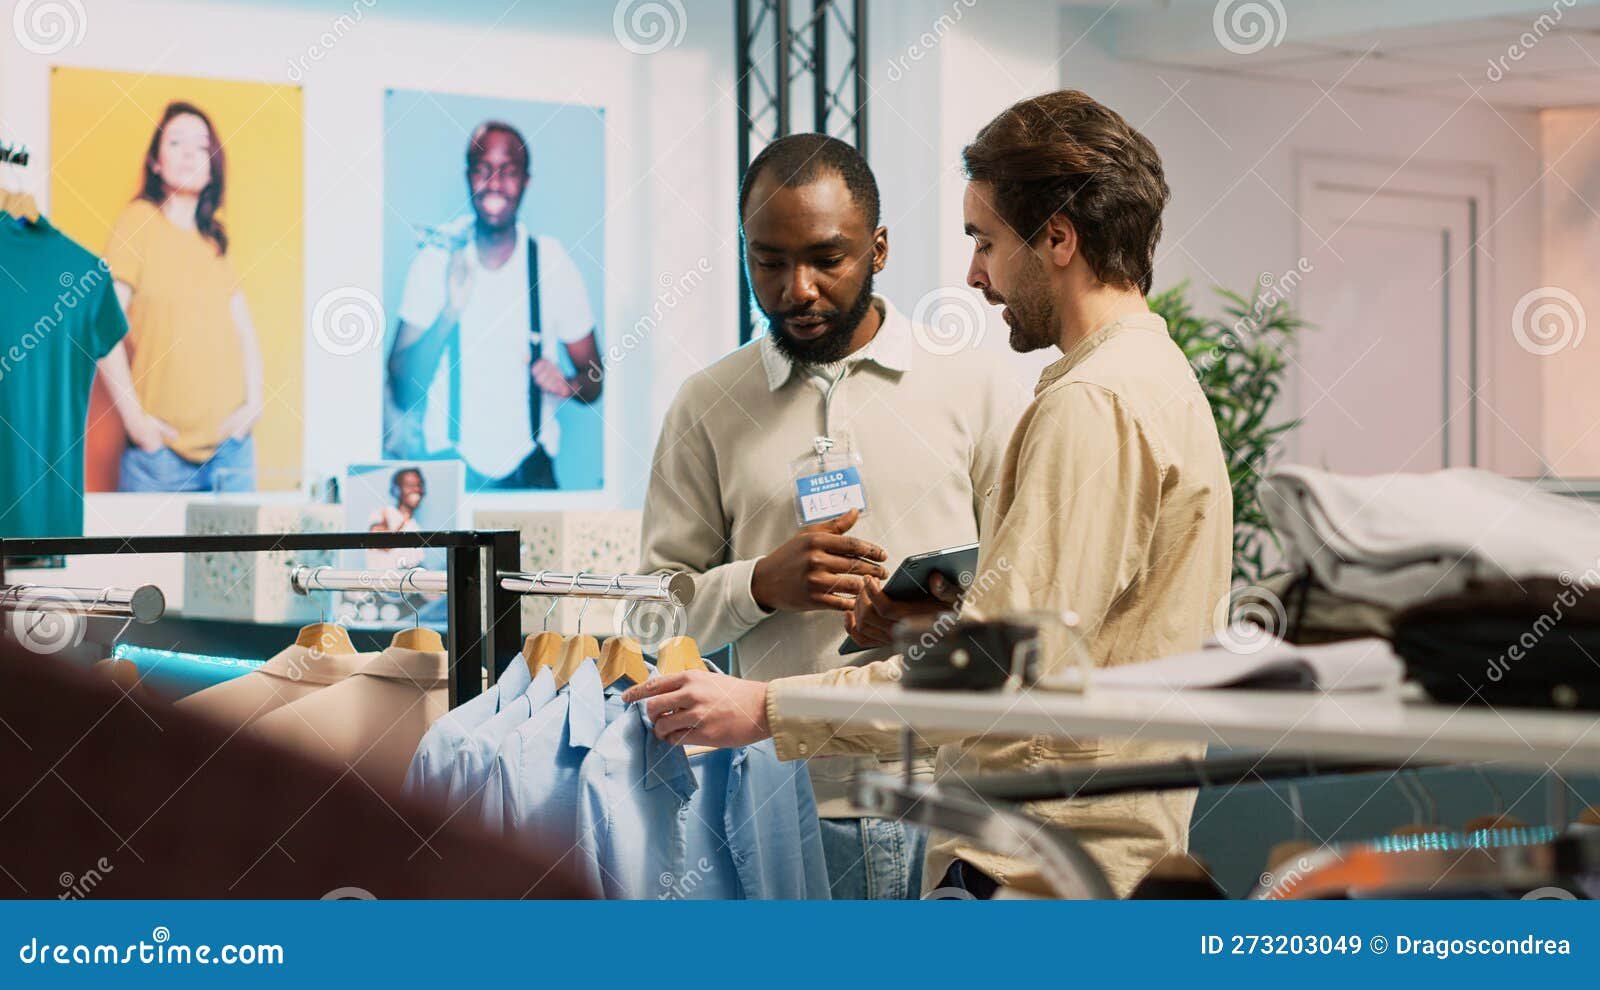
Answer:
(1231, 150)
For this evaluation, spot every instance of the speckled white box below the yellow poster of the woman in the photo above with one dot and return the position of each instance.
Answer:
(255, 586)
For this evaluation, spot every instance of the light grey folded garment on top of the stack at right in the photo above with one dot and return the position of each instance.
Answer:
(1396, 540)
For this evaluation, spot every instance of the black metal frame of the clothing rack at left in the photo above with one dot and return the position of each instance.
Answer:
(476, 607)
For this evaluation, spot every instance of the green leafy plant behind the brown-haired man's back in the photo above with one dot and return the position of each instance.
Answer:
(1241, 364)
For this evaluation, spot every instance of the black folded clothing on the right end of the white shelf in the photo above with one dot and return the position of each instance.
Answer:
(1529, 644)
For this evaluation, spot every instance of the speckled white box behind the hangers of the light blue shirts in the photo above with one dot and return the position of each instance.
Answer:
(596, 541)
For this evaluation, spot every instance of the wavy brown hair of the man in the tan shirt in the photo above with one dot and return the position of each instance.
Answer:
(1065, 153)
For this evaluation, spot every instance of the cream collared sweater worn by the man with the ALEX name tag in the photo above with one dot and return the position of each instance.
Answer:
(930, 429)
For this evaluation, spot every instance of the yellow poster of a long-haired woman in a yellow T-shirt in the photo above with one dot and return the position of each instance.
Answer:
(194, 190)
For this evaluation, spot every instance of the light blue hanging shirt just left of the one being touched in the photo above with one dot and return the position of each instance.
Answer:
(534, 784)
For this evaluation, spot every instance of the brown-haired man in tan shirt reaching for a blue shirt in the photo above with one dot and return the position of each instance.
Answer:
(1113, 501)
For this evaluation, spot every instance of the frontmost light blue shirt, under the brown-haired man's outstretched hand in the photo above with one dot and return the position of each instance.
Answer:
(730, 824)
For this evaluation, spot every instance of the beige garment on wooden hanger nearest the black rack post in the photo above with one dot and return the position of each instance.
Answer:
(372, 721)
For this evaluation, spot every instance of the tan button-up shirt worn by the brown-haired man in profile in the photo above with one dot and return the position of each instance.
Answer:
(1114, 503)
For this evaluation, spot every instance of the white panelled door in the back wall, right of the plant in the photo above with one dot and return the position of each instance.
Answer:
(1386, 380)
